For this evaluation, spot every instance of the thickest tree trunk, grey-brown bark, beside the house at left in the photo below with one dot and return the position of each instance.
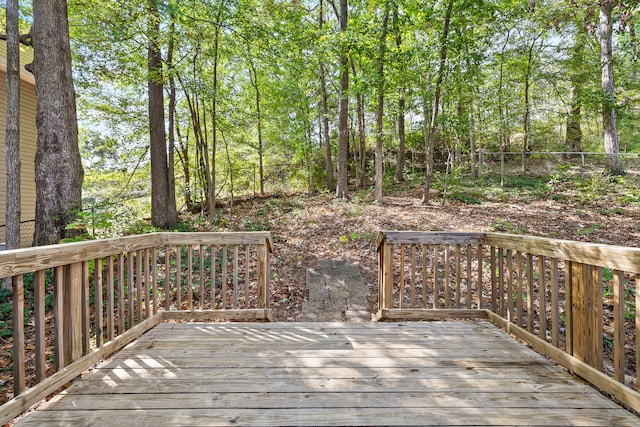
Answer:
(58, 169)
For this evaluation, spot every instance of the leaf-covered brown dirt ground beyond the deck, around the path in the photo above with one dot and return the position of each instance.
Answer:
(307, 228)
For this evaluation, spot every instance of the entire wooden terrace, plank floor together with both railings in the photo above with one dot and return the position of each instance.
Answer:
(131, 354)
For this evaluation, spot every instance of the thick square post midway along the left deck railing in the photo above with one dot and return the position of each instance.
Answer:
(72, 309)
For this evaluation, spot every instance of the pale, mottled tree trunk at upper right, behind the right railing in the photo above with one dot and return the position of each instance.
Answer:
(611, 145)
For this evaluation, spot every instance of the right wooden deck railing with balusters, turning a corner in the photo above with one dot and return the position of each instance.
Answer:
(578, 303)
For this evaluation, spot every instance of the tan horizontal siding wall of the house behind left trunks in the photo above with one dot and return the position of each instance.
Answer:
(27, 156)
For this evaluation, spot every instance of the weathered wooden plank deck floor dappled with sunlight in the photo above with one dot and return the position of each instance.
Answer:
(433, 373)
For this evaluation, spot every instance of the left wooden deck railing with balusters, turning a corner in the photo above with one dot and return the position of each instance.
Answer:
(89, 299)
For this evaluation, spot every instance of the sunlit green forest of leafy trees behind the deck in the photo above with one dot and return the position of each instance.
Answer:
(302, 96)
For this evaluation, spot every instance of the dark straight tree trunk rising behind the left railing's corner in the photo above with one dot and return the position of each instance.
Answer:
(163, 202)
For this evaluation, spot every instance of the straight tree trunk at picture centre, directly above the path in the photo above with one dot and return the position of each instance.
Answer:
(342, 190)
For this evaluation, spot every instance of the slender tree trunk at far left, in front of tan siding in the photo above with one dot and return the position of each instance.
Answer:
(12, 137)
